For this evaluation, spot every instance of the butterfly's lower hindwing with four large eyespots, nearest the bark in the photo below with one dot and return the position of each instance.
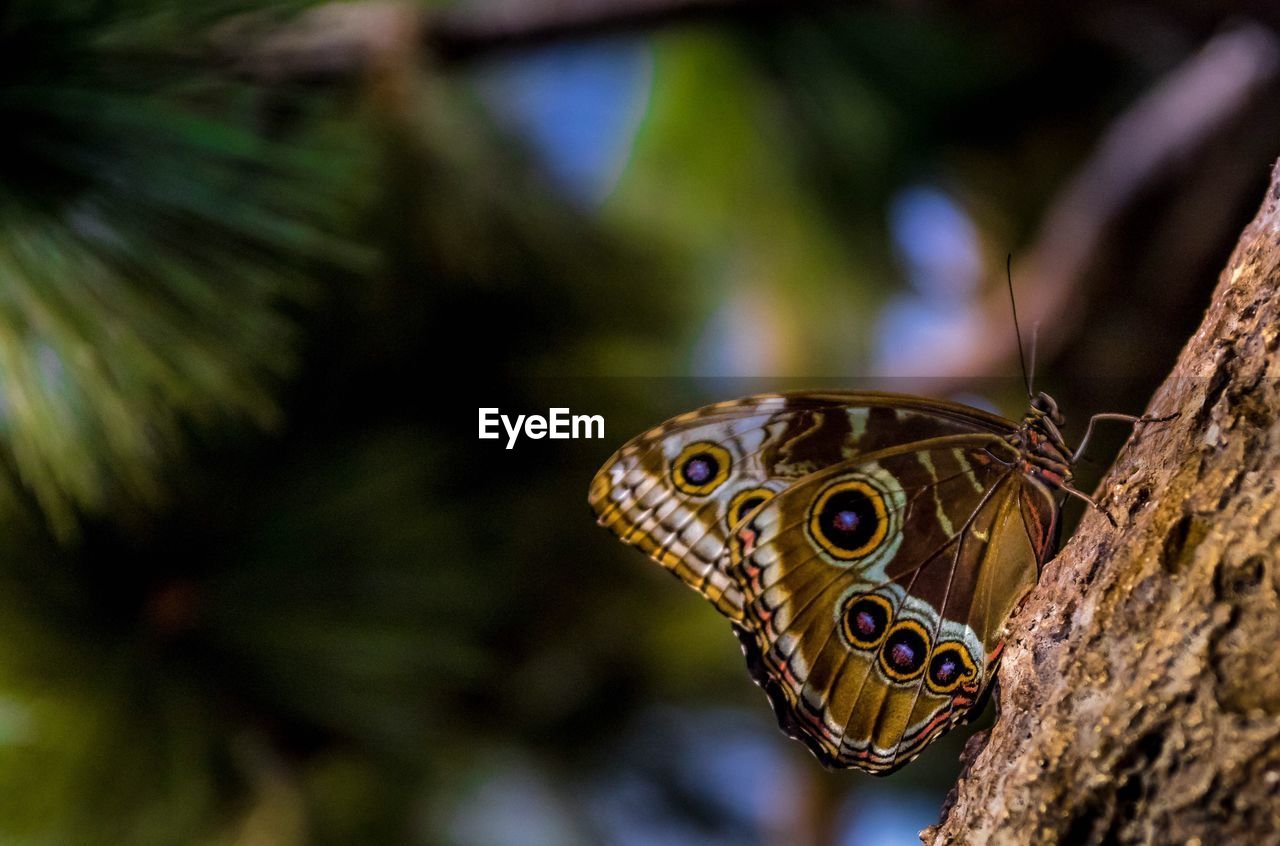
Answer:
(875, 593)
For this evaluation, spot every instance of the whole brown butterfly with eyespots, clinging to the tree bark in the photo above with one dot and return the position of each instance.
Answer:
(867, 547)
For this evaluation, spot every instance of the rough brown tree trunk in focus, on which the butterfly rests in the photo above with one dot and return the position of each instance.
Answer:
(1140, 697)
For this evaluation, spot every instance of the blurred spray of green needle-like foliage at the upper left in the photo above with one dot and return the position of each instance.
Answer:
(156, 240)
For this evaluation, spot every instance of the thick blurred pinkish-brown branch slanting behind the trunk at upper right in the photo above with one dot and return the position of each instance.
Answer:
(1168, 166)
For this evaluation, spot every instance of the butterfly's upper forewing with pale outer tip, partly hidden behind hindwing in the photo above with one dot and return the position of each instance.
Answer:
(679, 491)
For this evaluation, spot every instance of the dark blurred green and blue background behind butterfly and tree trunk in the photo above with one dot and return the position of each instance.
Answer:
(260, 263)
